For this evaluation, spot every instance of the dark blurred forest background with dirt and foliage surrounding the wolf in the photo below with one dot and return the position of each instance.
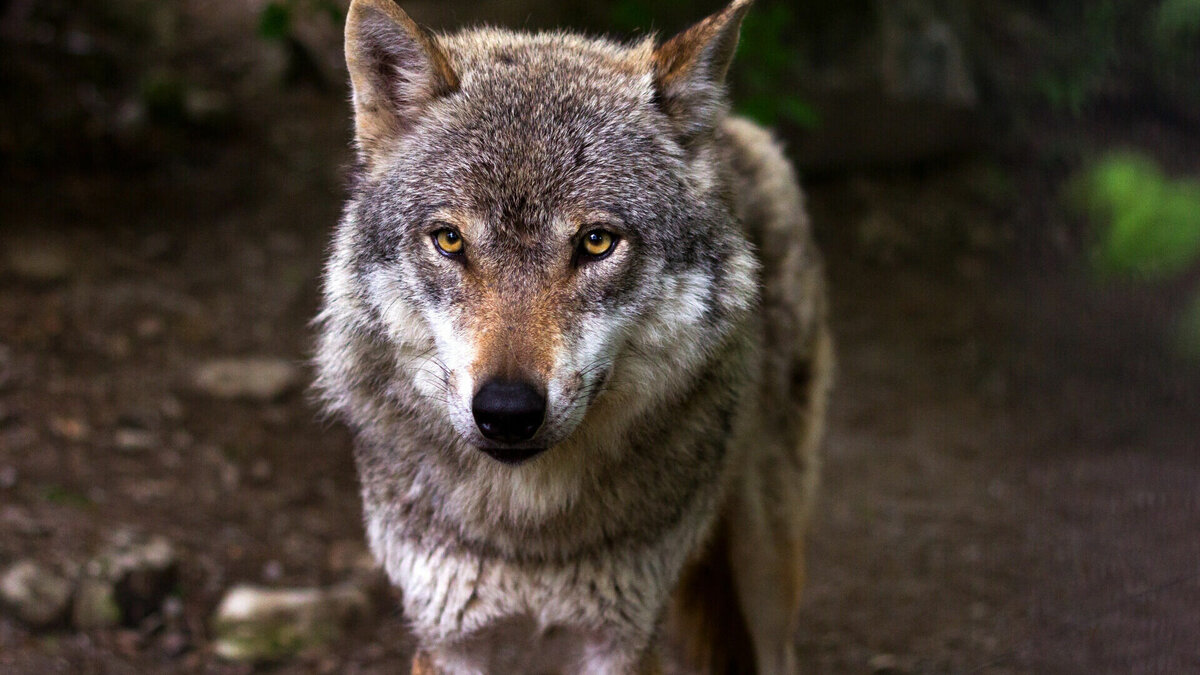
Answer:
(1009, 199)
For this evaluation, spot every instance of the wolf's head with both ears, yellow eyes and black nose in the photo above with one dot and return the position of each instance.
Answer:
(542, 224)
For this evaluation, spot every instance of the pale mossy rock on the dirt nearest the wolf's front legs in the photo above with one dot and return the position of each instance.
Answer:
(263, 625)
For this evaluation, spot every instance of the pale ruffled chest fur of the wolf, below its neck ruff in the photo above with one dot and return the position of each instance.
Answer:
(470, 605)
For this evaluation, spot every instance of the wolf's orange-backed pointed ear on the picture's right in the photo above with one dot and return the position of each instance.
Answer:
(691, 70)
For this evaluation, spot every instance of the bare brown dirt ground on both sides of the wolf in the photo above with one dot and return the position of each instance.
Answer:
(1012, 479)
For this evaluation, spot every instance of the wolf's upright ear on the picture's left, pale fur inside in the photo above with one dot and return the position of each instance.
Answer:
(397, 70)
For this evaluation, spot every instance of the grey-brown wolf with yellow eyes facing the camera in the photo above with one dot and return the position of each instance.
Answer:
(577, 320)
